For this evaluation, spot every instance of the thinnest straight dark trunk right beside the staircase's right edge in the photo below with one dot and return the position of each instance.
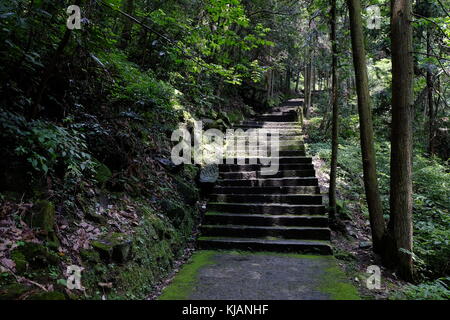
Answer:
(335, 116)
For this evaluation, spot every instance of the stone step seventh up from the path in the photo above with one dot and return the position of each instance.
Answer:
(270, 182)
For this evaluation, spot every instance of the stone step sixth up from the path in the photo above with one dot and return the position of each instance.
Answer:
(267, 190)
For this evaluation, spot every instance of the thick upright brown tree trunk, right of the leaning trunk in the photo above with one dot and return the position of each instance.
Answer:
(401, 135)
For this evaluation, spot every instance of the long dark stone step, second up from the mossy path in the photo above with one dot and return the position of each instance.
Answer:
(300, 233)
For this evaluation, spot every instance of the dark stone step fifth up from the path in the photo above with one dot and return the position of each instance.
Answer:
(268, 198)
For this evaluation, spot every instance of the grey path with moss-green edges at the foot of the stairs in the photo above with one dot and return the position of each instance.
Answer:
(232, 275)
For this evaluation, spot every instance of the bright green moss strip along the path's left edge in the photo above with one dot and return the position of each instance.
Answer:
(184, 282)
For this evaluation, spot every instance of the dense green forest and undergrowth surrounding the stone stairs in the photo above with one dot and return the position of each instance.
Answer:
(86, 117)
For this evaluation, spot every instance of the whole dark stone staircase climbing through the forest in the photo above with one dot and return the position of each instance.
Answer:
(280, 212)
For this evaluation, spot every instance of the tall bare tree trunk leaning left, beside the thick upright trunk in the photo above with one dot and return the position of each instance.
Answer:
(365, 123)
